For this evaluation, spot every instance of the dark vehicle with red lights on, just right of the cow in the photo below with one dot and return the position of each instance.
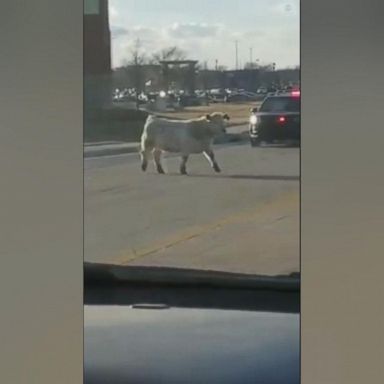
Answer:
(277, 119)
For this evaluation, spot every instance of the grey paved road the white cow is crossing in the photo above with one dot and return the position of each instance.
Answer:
(245, 219)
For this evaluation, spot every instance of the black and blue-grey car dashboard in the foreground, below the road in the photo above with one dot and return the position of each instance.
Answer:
(151, 325)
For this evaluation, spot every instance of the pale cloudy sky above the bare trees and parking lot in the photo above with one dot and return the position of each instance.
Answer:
(208, 29)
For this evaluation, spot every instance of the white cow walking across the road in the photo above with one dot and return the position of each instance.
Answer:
(181, 136)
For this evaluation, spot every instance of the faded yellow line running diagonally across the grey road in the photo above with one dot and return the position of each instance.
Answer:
(276, 206)
